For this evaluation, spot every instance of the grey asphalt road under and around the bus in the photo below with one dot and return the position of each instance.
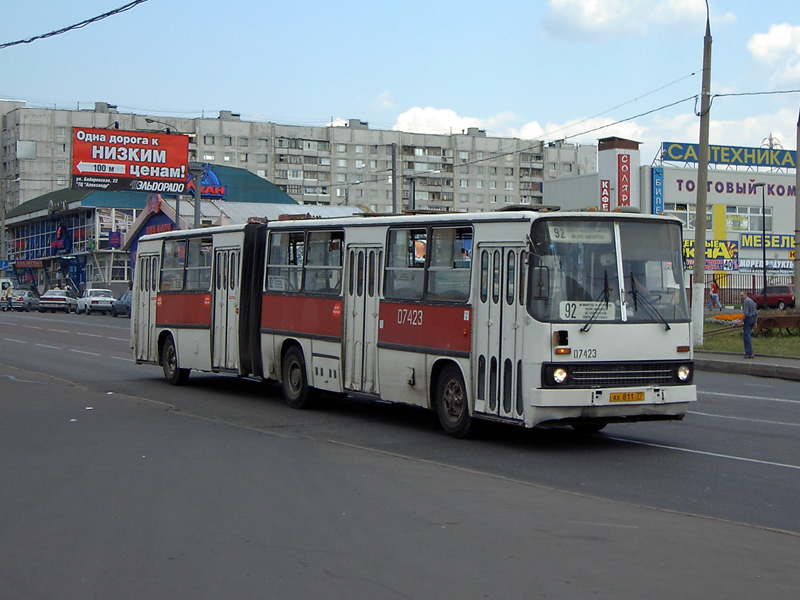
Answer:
(116, 485)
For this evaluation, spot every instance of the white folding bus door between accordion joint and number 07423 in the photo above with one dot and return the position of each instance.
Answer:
(361, 319)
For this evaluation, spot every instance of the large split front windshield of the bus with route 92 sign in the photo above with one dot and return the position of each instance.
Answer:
(606, 271)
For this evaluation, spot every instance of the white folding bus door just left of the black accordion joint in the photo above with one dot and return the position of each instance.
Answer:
(225, 322)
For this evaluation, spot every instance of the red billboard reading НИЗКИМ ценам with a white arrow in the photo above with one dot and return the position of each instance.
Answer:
(138, 161)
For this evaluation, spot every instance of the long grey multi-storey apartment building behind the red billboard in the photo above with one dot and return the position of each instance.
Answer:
(340, 164)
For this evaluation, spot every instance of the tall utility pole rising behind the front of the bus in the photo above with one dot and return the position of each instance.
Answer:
(699, 283)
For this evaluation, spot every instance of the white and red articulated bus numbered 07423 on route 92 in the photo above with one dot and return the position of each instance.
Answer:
(534, 318)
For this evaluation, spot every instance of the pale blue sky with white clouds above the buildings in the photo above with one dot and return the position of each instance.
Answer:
(532, 69)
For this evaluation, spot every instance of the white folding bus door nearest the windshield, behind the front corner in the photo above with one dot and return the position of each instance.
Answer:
(498, 323)
